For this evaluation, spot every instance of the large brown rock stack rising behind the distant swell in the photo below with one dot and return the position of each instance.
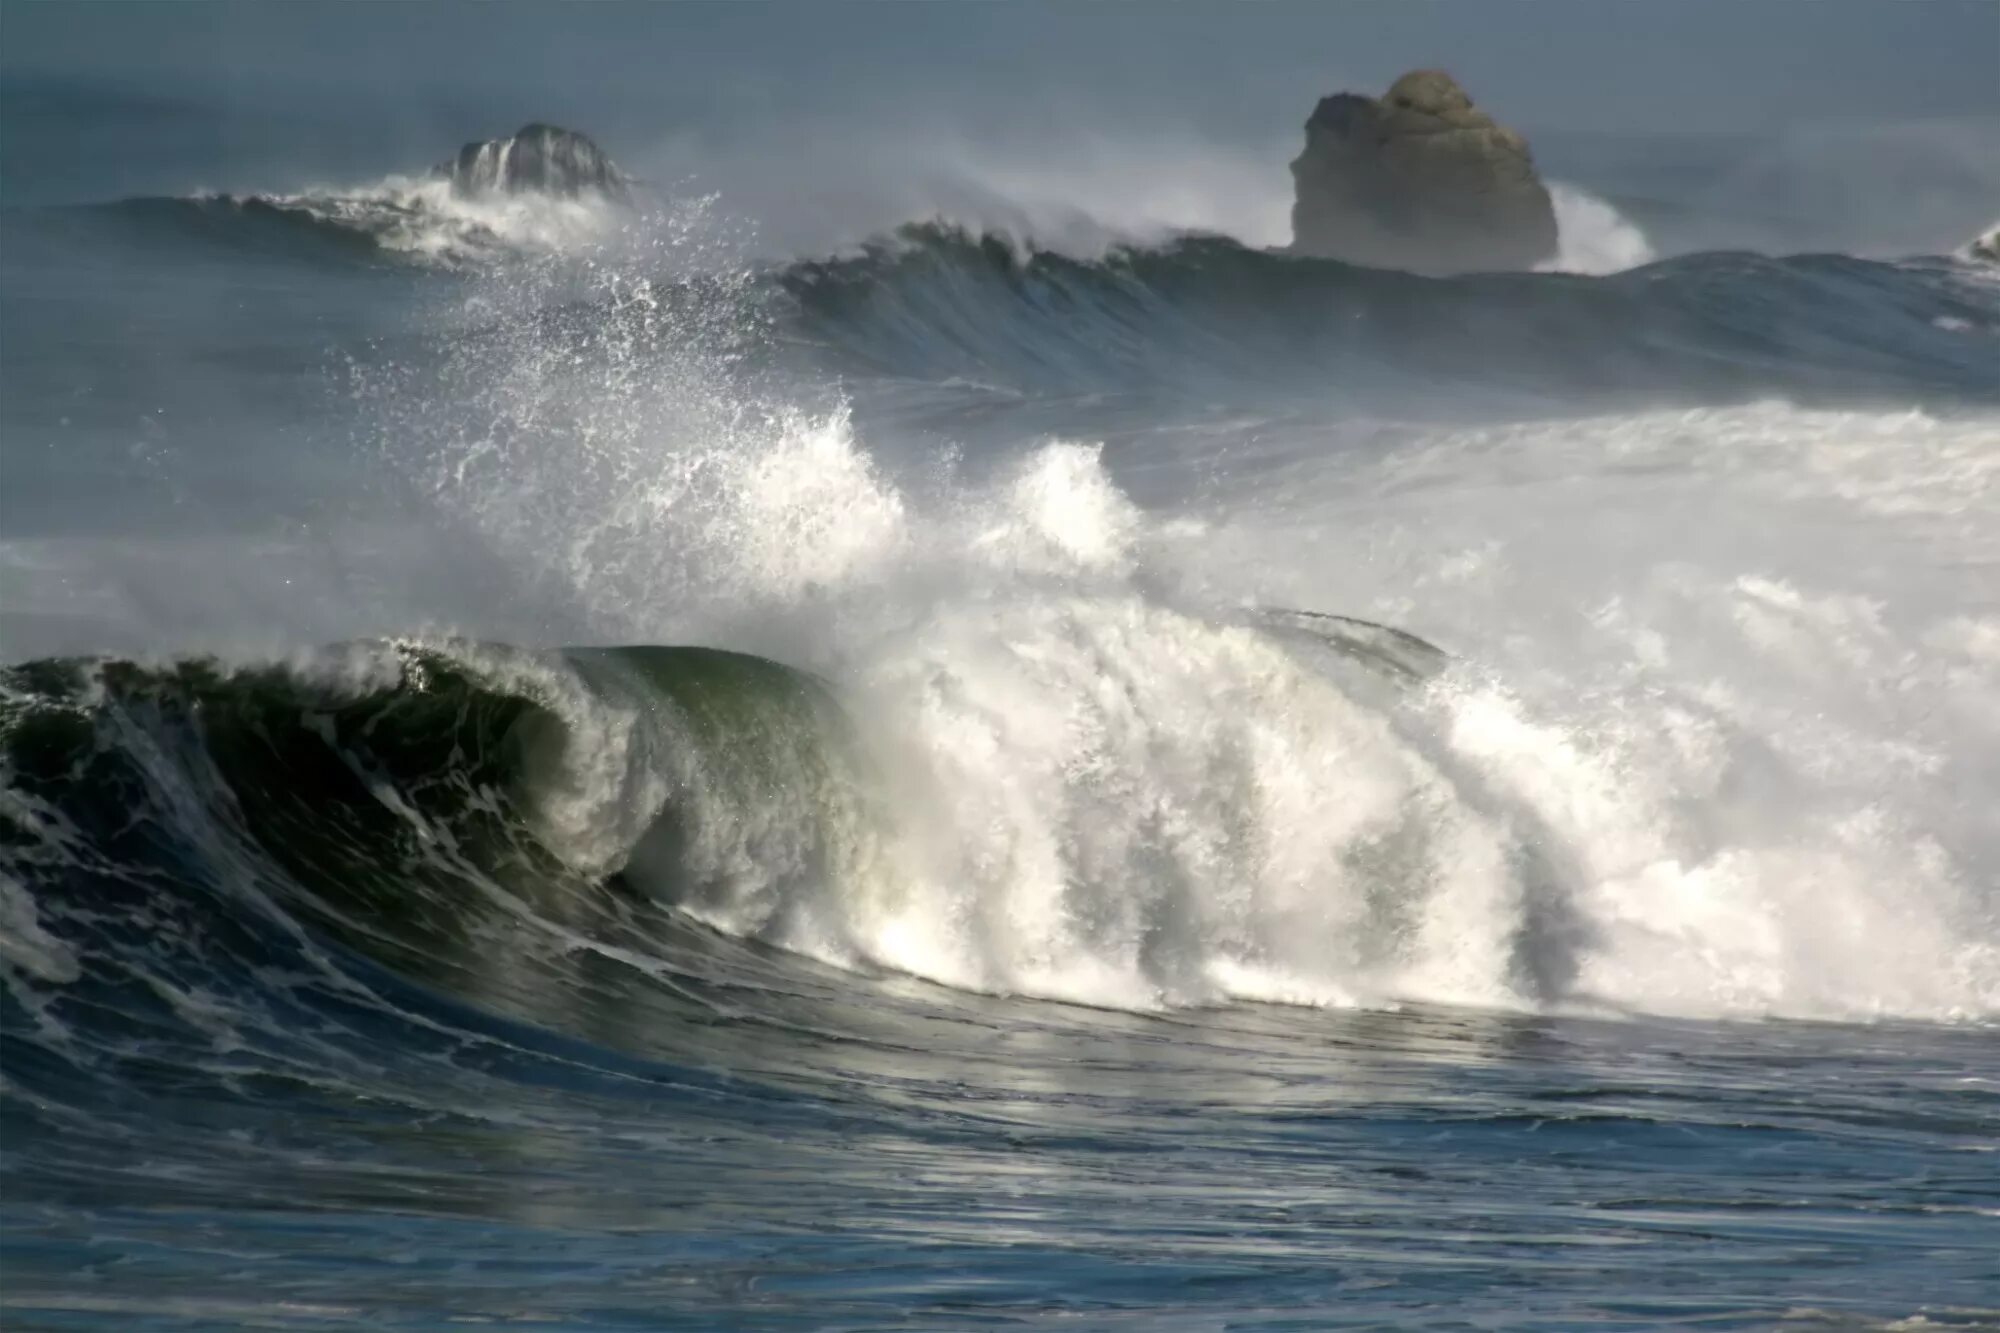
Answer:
(1421, 181)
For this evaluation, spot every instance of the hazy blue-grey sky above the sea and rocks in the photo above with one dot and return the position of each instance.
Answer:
(1225, 69)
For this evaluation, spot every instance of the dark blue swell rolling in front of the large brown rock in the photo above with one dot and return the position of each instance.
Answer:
(1211, 315)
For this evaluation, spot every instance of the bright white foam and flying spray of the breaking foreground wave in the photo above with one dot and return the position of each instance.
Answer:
(1725, 680)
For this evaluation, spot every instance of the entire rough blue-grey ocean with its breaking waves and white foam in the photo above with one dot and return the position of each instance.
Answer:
(581, 768)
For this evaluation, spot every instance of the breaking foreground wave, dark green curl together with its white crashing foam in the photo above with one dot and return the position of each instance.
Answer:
(1057, 778)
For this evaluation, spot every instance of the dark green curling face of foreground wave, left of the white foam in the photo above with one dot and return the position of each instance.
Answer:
(453, 814)
